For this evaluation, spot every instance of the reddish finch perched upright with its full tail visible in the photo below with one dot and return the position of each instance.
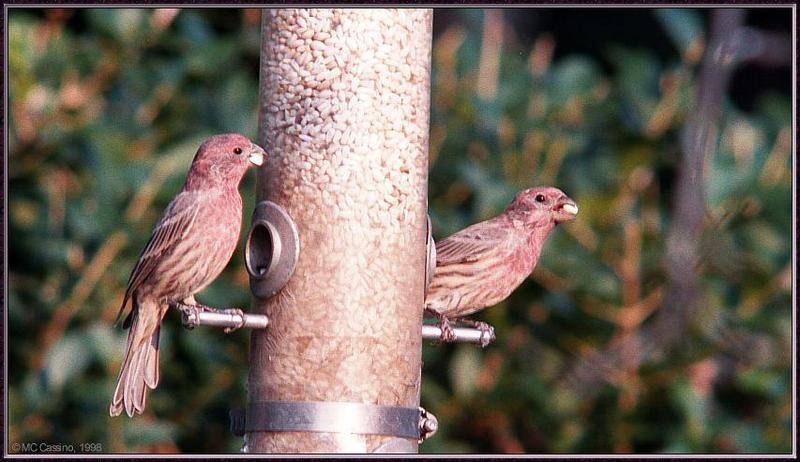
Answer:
(190, 245)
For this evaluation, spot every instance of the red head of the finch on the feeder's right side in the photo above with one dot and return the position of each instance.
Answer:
(543, 205)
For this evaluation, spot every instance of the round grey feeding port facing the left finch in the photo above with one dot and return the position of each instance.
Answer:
(272, 249)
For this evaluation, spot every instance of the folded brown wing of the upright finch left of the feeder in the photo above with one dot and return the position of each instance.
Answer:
(173, 226)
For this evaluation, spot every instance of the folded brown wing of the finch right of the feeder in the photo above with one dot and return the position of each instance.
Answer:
(470, 244)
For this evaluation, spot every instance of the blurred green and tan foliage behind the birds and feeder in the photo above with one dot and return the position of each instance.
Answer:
(107, 107)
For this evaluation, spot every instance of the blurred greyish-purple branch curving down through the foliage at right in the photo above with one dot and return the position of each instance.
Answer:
(683, 292)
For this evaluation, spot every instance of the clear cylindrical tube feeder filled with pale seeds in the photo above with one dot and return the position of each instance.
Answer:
(344, 118)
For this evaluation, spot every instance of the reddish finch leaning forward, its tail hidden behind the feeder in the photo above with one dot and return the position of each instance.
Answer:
(481, 265)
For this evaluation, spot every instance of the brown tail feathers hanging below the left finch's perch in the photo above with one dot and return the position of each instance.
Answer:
(140, 364)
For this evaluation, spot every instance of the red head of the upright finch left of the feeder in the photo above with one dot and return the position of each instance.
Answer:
(223, 160)
